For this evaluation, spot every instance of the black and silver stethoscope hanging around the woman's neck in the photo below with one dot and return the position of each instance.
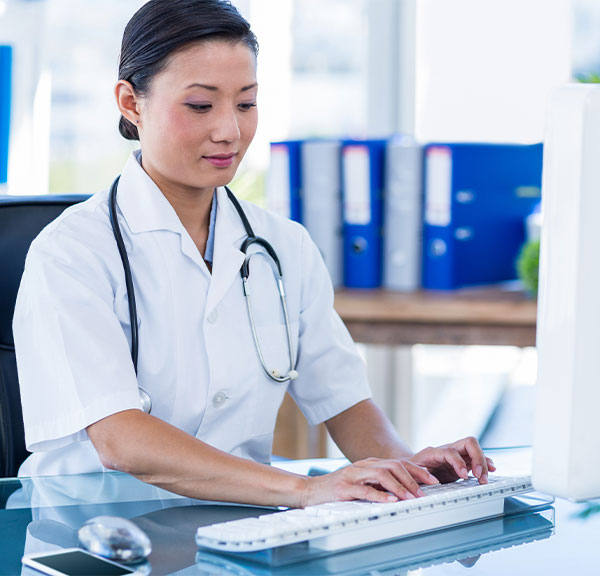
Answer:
(251, 240)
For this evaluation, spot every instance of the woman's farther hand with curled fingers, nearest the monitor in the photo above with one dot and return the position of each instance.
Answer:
(452, 461)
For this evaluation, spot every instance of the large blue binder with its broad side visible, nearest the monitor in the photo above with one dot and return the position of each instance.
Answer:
(477, 197)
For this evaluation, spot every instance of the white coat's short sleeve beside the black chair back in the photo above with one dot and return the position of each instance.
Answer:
(73, 358)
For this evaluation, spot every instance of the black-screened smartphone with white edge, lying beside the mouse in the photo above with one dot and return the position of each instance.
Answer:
(74, 562)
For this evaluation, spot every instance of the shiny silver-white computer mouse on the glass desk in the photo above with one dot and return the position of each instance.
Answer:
(115, 538)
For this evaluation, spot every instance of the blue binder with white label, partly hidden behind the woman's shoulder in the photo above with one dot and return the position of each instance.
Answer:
(284, 181)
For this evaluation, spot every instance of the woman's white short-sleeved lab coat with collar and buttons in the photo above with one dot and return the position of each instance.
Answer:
(197, 358)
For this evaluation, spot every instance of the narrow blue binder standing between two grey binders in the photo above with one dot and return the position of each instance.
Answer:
(362, 194)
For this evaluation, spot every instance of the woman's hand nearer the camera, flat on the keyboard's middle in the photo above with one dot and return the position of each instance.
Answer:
(372, 479)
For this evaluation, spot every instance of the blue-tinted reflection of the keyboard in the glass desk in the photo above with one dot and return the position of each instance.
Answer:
(463, 544)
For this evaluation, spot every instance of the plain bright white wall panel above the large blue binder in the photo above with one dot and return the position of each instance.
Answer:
(485, 67)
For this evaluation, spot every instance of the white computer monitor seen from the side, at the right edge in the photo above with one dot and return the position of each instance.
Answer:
(566, 451)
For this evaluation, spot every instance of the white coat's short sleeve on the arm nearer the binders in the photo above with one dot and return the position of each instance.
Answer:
(332, 374)
